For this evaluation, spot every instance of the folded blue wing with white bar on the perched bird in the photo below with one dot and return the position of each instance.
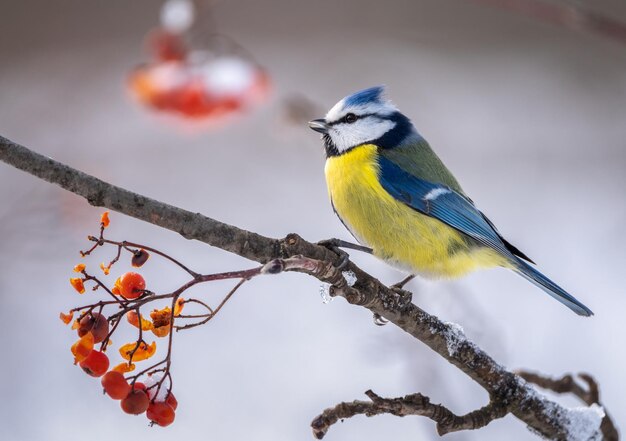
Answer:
(440, 202)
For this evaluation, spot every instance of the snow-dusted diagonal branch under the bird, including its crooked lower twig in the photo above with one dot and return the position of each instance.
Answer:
(508, 392)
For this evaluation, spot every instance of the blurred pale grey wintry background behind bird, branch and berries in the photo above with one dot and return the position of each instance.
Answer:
(531, 117)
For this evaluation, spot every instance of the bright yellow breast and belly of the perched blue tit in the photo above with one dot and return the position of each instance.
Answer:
(398, 234)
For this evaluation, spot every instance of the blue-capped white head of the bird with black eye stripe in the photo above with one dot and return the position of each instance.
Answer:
(364, 117)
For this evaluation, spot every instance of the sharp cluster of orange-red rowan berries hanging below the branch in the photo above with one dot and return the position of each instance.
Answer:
(149, 390)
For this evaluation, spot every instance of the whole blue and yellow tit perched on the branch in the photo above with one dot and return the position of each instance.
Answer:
(395, 195)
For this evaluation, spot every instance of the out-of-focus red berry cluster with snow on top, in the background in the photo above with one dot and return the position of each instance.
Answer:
(189, 82)
